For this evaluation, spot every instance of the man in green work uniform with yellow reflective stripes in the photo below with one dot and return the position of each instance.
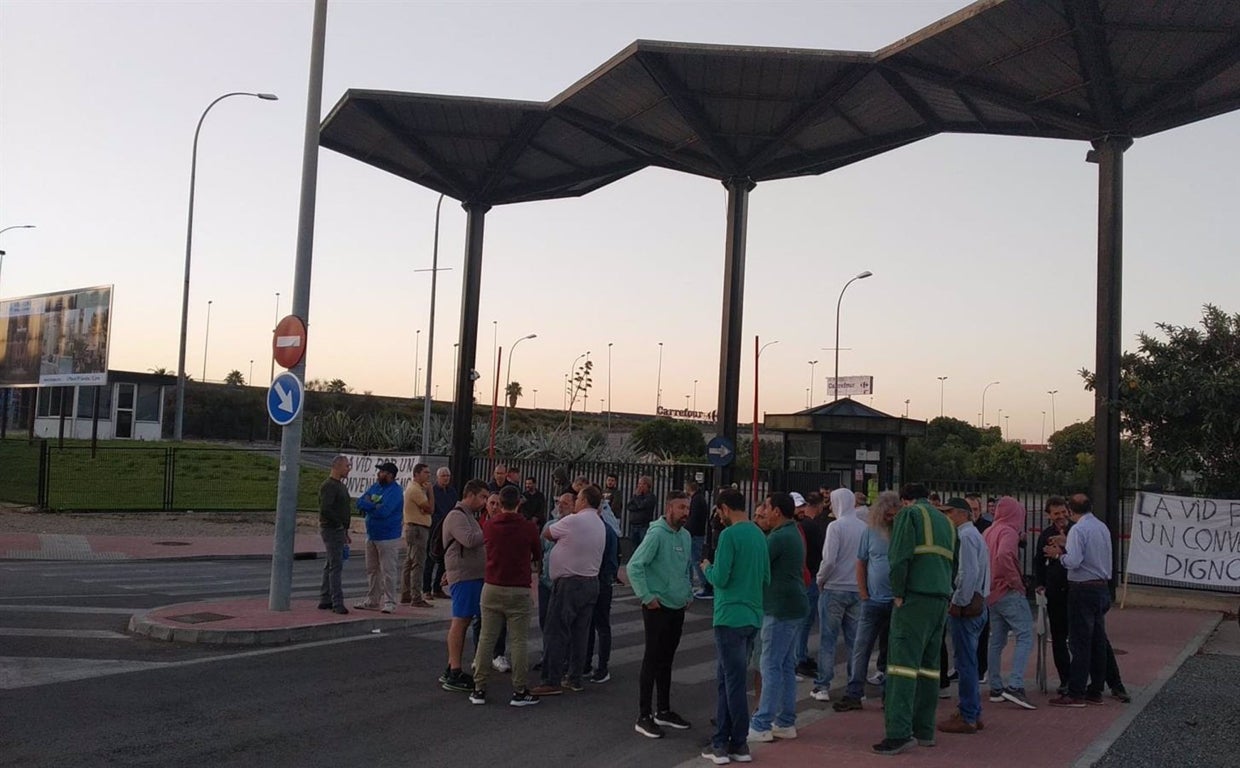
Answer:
(921, 555)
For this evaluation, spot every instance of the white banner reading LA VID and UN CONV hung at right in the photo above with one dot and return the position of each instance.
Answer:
(1195, 542)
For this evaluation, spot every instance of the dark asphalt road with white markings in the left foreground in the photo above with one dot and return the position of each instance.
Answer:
(76, 690)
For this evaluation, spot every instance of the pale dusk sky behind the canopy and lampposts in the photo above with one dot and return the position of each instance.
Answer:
(983, 249)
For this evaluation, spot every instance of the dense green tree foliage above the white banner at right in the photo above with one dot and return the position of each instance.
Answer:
(1179, 398)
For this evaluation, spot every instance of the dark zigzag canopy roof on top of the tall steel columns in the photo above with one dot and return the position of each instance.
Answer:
(1050, 69)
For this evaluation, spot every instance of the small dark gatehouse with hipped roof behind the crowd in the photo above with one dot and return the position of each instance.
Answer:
(844, 445)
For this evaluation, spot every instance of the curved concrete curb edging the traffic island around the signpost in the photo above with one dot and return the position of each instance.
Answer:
(147, 625)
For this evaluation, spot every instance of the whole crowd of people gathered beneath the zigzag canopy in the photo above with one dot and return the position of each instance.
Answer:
(900, 576)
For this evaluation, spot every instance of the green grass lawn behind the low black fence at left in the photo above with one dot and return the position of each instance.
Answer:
(125, 476)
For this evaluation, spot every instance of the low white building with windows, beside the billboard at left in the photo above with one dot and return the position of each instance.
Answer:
(130, 408)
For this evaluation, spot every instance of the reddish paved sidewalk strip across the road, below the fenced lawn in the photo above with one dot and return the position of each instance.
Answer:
(73, 548)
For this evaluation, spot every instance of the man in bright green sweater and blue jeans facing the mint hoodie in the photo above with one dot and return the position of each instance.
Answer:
(740, 576)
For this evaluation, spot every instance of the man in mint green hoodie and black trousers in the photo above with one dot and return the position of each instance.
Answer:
(658, 573)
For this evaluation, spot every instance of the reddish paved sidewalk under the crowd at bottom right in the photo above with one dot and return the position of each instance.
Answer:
(1153, 646)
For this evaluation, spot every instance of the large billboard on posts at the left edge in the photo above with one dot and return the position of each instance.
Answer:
(56, 339)
